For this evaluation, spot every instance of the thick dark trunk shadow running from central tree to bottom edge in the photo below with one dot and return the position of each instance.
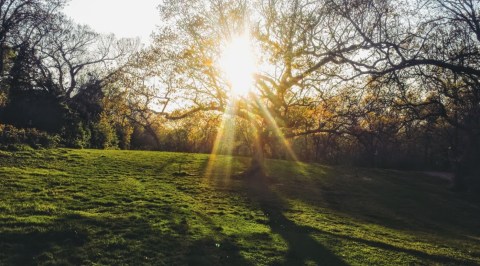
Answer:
(301, 246)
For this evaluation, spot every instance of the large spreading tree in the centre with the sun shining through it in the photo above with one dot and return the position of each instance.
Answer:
(298, 43)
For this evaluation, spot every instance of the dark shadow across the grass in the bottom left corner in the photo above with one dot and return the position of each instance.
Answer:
(78, 240)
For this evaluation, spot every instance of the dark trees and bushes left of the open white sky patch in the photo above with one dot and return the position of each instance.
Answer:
(52, 76)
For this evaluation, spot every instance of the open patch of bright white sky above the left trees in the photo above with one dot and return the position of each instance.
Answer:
(124, 18)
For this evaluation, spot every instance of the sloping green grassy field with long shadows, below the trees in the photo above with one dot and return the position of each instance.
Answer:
(131, 207)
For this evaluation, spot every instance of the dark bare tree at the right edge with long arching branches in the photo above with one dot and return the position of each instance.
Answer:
(428, 49)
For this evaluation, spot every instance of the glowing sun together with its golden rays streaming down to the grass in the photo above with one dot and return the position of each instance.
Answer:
(238, 64)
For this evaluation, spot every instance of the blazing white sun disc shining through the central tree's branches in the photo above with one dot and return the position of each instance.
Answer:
(238, 63)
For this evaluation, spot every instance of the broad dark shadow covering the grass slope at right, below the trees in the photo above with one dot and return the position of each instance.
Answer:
(394, 199)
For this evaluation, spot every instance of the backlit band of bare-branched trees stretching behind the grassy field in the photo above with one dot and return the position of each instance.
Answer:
(371, 83)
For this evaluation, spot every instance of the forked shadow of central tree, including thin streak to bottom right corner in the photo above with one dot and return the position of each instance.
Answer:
(302, 246)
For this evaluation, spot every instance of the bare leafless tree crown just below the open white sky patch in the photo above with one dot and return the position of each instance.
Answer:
(73, 54)
